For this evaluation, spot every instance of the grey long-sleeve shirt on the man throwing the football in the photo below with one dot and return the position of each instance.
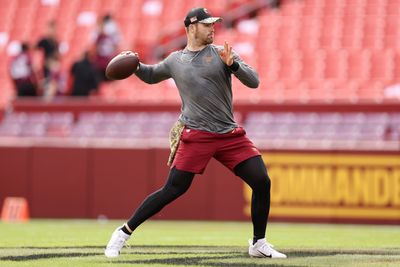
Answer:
(205, 86)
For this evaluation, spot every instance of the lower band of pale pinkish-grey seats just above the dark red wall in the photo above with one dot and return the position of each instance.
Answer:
(270, 130)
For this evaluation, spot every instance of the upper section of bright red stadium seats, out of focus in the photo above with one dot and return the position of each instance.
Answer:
(307, 50)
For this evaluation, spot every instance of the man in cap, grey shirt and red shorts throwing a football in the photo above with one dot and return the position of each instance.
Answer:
(206, 128)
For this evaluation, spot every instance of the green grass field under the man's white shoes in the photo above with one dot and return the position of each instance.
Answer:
(74, 243)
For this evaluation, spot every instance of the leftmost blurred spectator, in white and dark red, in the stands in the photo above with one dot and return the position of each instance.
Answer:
(22, 72)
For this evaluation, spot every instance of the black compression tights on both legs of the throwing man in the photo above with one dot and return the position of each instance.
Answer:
(252, 171)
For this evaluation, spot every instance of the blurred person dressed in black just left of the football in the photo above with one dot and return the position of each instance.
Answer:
(84, 78)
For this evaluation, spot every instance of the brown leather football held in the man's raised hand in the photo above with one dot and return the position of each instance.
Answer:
(122, 66)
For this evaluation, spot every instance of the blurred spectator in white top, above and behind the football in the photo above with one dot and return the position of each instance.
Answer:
(107, 40)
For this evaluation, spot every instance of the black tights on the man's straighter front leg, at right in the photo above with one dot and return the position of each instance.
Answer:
(254, 173)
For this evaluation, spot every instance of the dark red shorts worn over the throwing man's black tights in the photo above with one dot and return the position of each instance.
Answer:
(196, 148)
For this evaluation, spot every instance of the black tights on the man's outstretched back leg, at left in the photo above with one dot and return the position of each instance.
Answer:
(177, 184)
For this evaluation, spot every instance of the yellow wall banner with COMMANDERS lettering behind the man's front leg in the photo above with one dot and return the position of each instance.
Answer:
(337, 186)
